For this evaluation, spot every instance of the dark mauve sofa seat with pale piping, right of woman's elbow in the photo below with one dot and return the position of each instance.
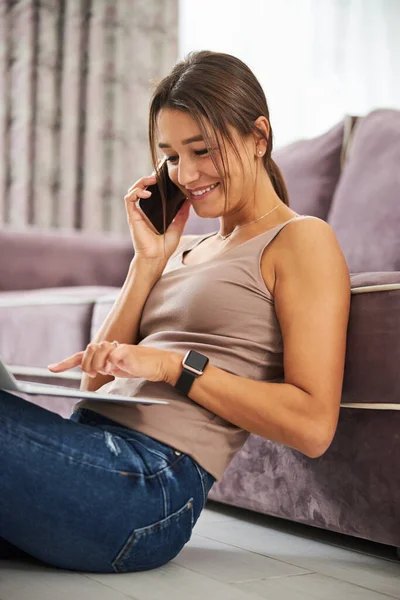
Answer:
(372, 374)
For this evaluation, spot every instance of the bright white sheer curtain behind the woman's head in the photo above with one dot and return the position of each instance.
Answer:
(317, 60)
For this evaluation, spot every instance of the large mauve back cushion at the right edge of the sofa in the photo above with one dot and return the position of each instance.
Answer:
(365, 213)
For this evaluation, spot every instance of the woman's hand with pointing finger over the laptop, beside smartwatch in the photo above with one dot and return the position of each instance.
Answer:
(125, 360)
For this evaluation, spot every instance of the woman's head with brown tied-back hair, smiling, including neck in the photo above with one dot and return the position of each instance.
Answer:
(223, 131)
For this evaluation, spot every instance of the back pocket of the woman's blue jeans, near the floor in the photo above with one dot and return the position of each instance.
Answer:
(155, 545)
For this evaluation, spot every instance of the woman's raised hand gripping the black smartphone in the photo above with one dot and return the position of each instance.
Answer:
(149, 245)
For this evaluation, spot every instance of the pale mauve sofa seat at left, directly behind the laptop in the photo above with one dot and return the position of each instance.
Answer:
(38, 327)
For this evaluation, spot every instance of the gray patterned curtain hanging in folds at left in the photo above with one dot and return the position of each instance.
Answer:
(75, 84)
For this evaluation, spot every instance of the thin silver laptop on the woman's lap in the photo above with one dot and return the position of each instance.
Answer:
(8, 383)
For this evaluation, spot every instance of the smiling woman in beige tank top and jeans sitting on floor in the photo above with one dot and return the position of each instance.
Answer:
(118, 487)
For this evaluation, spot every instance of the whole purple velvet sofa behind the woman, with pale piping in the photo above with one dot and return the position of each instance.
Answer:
(57, 287)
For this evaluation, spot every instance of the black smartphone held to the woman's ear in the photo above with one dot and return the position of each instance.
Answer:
(152, 207)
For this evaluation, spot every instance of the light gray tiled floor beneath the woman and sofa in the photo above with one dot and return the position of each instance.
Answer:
(233, 555)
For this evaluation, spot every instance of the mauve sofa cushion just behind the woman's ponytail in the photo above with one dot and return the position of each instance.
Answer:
(311, 169)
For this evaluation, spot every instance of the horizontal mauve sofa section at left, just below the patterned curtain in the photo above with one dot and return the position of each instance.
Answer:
(35, 258)
